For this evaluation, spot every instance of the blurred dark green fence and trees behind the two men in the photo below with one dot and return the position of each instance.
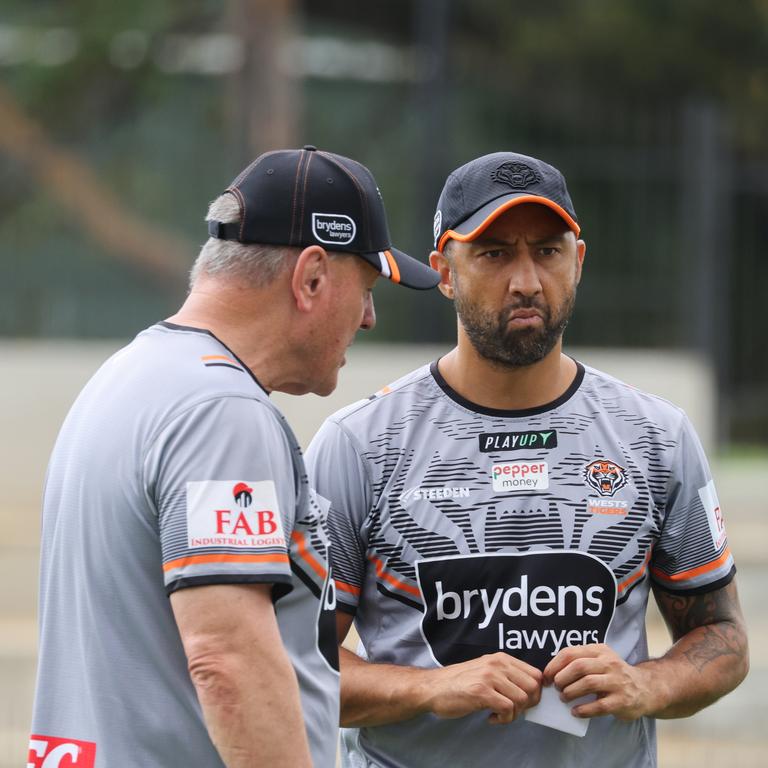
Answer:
(118, 125)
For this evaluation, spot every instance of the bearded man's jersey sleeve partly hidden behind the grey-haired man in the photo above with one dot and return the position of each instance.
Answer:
(336, 471)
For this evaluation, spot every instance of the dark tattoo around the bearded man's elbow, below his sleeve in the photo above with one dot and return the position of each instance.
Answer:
(717, 617)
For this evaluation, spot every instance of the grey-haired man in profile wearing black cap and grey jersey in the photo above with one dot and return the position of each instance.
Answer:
(186, 596)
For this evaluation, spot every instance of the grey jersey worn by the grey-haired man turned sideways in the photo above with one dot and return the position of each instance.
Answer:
(173, 469)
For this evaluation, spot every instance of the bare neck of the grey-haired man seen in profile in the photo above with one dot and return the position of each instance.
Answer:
(244, 320)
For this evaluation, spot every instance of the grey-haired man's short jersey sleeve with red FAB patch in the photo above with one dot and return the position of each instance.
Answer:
(221, 480)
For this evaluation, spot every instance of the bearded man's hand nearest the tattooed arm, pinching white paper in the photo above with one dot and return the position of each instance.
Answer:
(622, 690)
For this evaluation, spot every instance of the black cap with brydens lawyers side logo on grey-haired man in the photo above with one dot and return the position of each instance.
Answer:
(302, 197)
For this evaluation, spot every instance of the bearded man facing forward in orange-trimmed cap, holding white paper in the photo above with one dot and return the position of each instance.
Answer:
(500, 516)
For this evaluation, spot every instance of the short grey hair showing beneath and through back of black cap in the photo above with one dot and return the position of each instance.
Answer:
(257, 264)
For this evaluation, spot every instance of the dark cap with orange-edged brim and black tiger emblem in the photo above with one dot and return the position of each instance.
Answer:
(480, 191)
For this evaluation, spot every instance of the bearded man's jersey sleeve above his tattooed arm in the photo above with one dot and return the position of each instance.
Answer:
(692, 554)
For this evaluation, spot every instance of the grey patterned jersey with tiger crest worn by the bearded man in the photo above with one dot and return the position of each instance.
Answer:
(460, 530)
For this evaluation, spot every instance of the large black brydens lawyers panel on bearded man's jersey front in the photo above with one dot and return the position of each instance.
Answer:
(530, 605)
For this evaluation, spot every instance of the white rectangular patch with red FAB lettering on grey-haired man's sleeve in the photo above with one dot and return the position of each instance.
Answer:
(233, 513)
